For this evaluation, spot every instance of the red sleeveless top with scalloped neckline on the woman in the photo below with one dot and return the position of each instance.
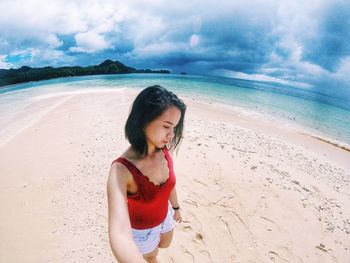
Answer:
(148, 207)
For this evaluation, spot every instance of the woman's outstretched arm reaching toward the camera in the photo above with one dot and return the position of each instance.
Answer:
(119, 228)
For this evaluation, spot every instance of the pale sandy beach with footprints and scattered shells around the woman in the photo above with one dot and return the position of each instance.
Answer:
(250, 191)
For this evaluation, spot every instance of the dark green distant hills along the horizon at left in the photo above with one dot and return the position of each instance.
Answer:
(24, 74)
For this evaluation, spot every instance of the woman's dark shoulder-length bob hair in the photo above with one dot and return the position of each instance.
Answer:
(149, 104)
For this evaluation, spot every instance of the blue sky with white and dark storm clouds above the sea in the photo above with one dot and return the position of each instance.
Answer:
(303, 43)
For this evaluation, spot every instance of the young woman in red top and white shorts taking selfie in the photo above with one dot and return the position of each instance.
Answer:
(142, 199)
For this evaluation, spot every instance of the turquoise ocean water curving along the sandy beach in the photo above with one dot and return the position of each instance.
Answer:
(313, 112)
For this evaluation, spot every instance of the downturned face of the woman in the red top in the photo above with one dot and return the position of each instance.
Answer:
(161, 130)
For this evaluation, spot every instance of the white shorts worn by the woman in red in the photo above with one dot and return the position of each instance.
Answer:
(148, 239)
